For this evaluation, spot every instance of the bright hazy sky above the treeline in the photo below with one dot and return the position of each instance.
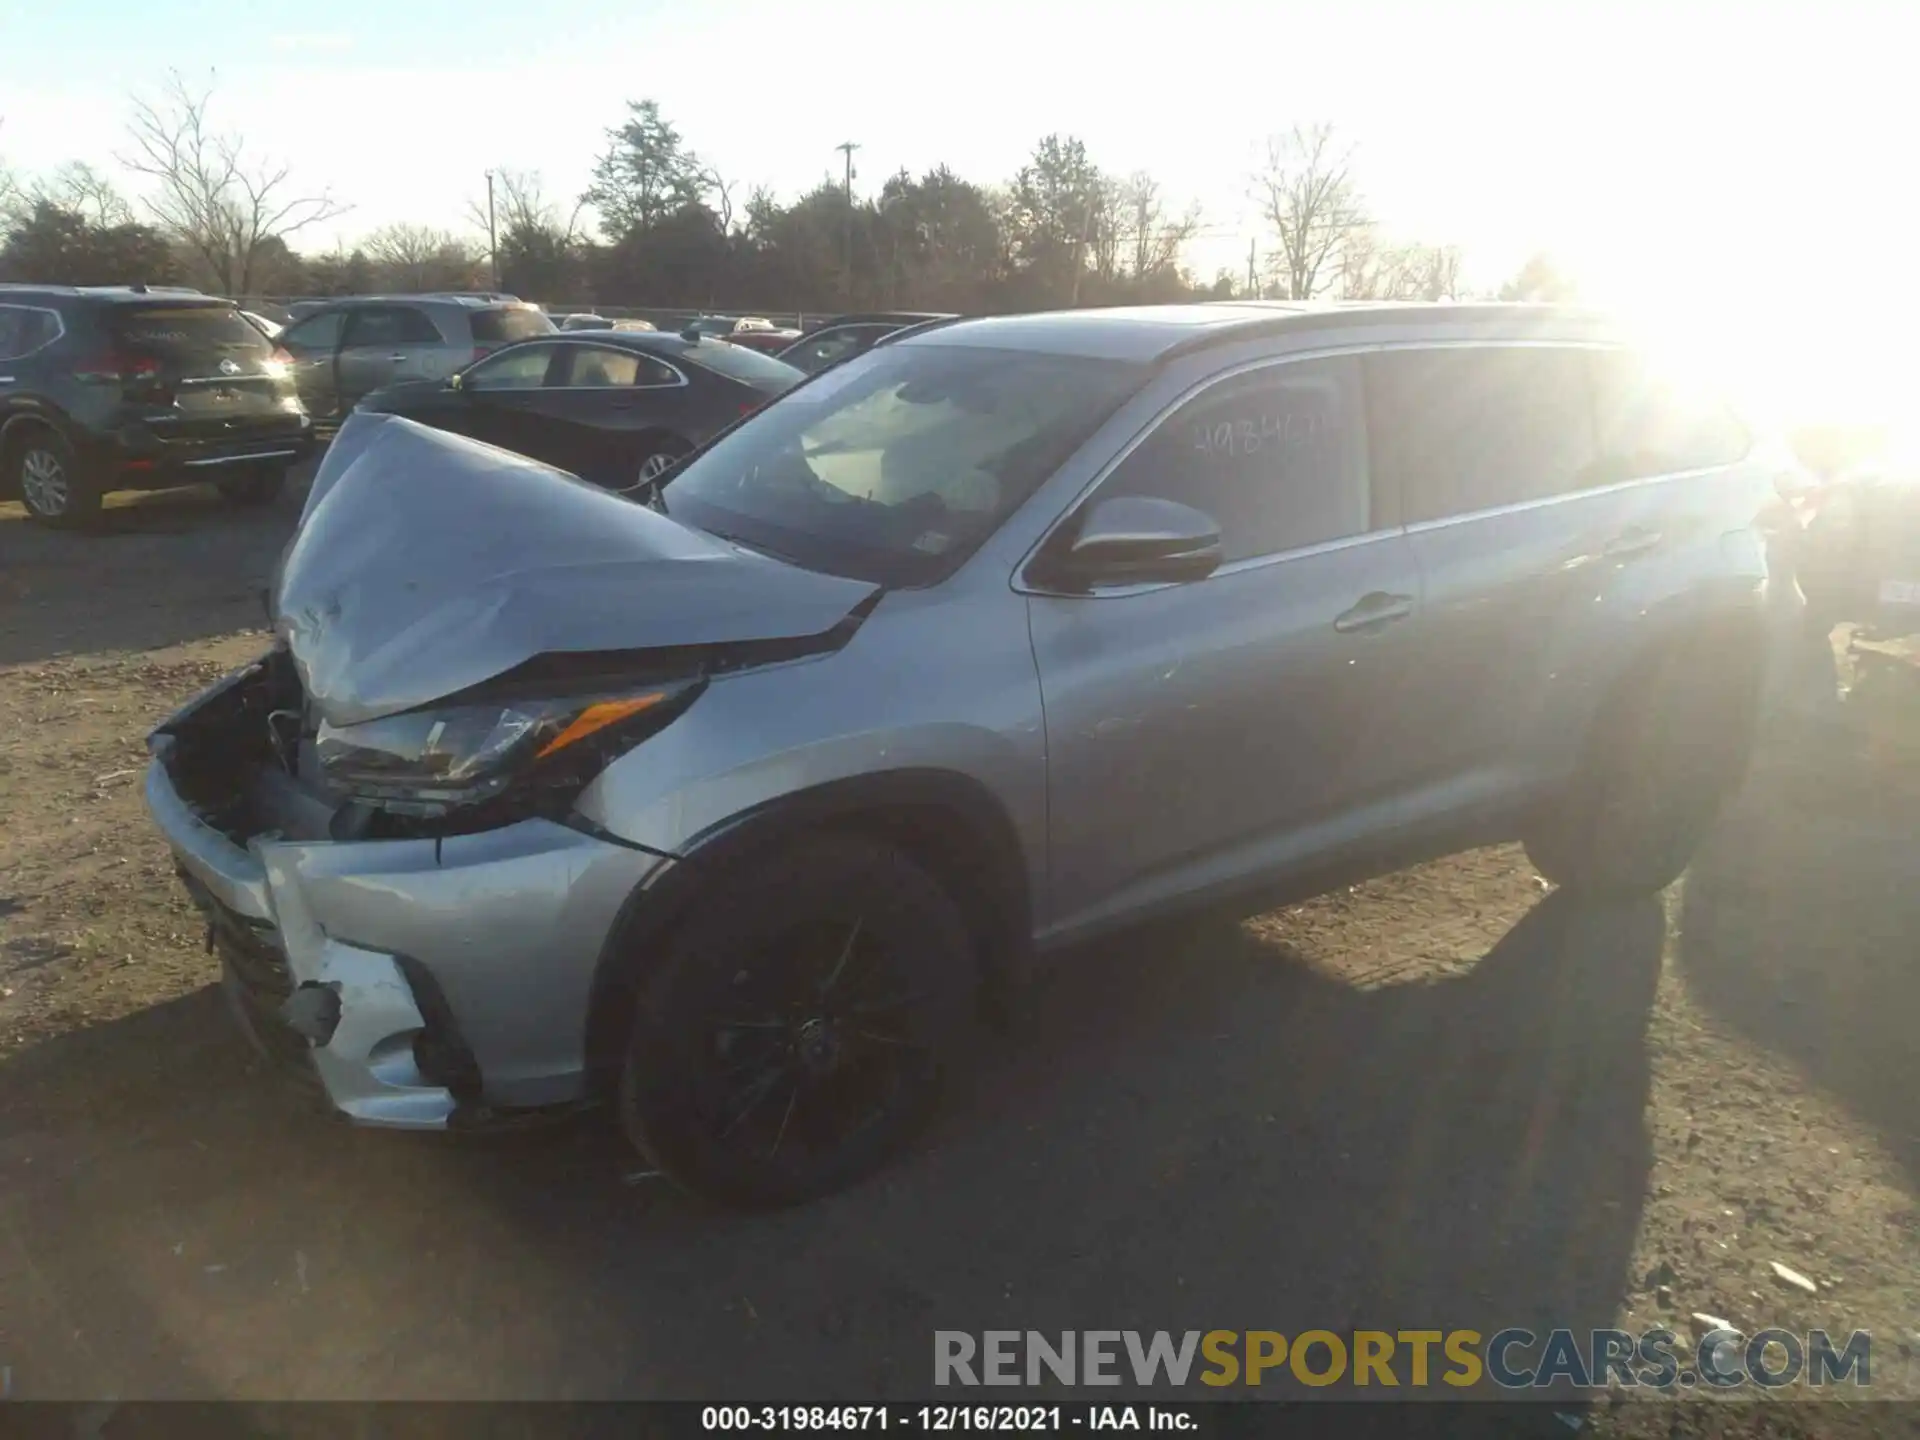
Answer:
(1740, 172)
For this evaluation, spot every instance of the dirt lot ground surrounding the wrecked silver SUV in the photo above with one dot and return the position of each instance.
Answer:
(1445, 1099)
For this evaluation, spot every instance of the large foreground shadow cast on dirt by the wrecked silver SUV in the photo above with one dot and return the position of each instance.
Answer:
(1191, 1132)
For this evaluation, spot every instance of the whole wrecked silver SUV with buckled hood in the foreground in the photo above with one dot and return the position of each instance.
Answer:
(1009, 633)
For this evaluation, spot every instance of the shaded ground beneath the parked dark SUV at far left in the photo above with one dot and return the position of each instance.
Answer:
(158, 569)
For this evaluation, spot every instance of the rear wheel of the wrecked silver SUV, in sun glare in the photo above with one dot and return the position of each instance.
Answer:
(1664, 757)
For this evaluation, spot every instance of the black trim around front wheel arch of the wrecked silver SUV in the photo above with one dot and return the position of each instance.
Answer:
(946, 821)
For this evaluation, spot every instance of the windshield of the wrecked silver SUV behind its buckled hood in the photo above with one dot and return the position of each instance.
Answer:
(896, 466)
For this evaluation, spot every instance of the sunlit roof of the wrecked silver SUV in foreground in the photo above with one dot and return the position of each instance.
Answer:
(1157, 333)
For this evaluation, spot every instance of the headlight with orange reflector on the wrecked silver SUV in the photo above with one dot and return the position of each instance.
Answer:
(462, 756)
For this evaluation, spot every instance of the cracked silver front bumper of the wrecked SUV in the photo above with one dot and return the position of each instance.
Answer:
(477, 946)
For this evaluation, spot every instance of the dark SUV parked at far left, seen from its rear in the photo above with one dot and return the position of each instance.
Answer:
(133, 389)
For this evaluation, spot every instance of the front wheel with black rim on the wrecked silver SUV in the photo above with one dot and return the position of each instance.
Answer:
(794, 1034)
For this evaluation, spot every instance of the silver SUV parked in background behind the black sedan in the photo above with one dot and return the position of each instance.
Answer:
(356, 347)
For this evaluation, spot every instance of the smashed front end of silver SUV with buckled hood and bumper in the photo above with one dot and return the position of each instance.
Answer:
(379, 817)
